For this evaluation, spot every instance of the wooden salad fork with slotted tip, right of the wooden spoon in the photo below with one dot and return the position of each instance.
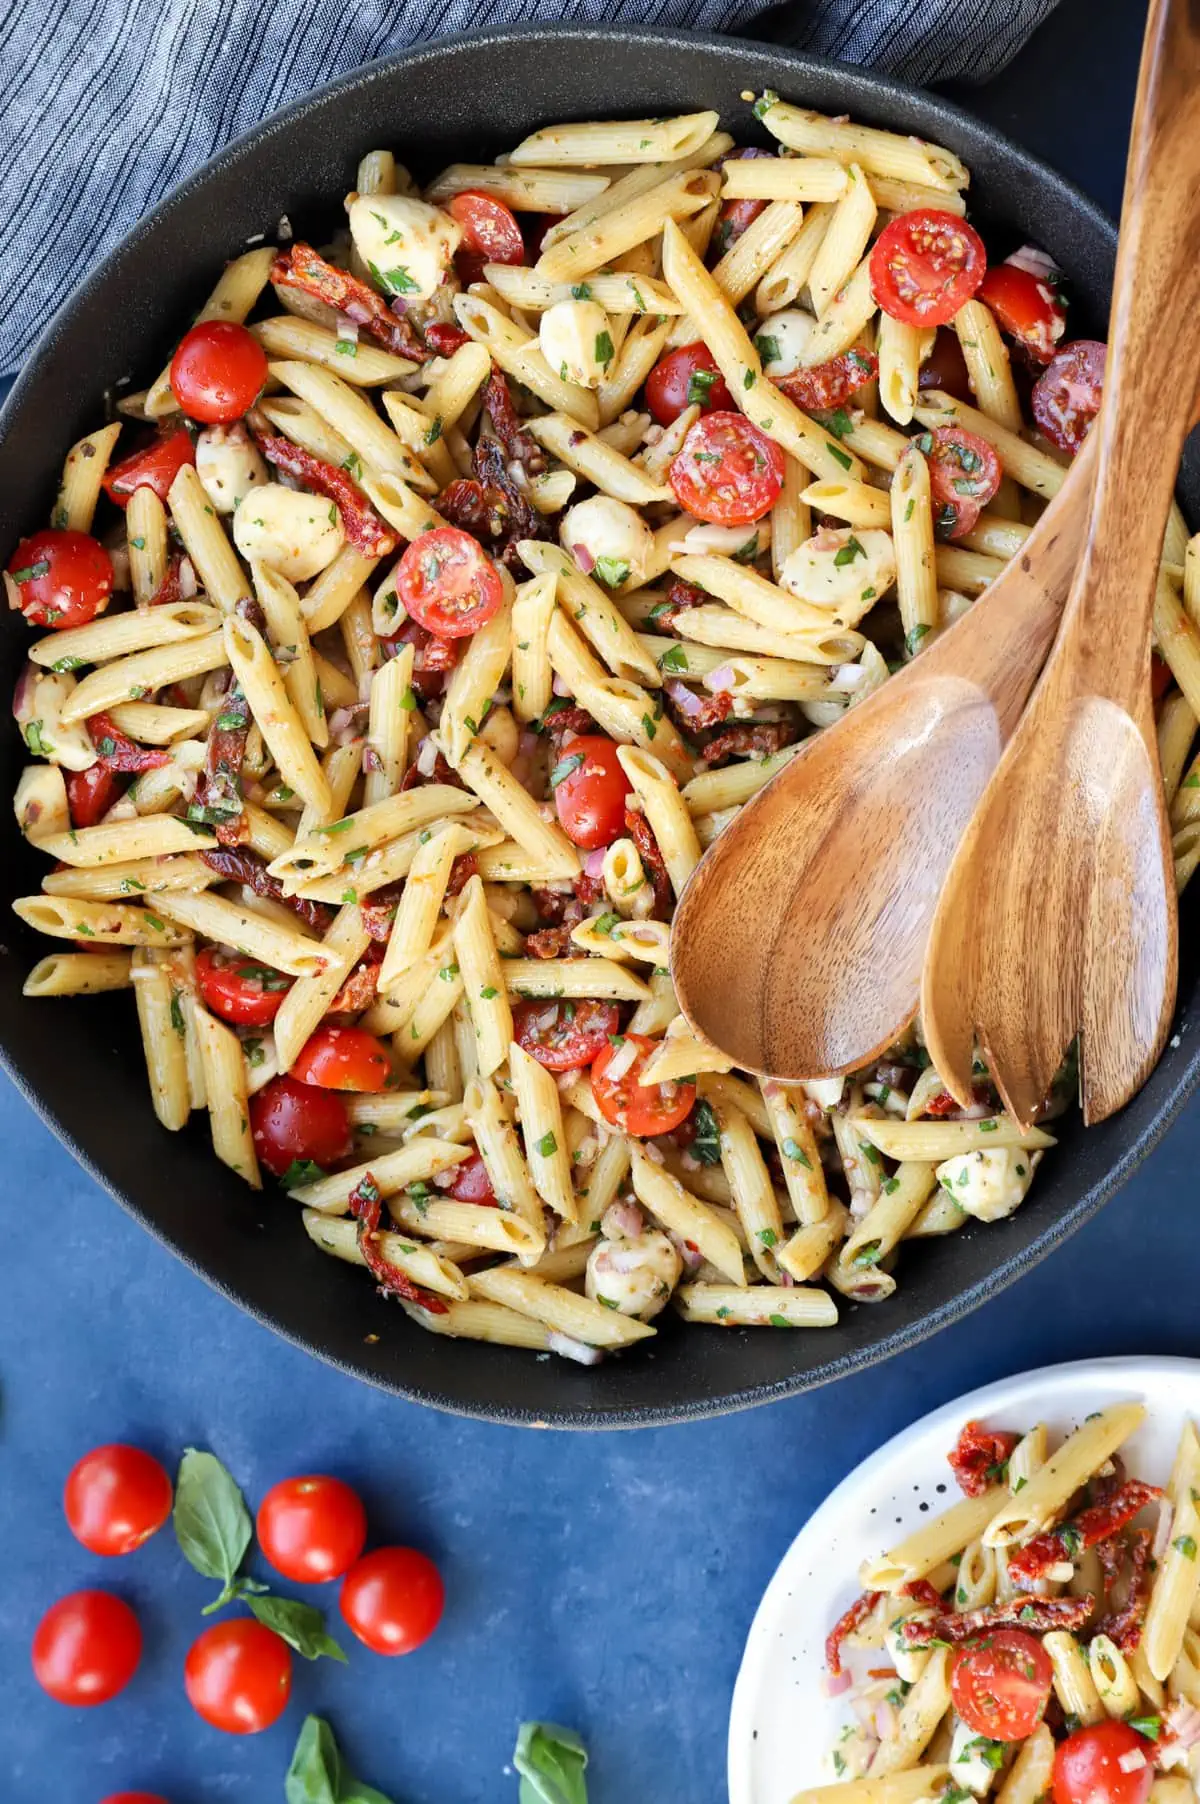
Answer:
(1058, 914)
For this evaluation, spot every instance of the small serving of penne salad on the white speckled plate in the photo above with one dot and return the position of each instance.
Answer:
(1040, 1639)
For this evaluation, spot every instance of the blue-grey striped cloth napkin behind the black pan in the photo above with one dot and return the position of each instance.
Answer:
(113, 102)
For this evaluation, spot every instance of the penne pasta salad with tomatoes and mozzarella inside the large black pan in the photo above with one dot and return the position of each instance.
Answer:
(400, 643)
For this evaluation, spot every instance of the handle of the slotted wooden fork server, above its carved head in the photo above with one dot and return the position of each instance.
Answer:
(1152, 360)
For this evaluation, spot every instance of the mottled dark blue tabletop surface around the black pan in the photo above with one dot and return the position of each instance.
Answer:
(600, 1581)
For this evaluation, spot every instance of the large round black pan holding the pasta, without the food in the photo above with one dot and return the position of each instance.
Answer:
(78, 1062)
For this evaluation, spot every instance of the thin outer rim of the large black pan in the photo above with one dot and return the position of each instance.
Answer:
(1006, 1271)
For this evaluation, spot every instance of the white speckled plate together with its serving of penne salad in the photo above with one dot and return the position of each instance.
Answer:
(1001, 1603)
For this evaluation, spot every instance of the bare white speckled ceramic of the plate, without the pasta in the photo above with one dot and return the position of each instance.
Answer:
(782, 1722)
